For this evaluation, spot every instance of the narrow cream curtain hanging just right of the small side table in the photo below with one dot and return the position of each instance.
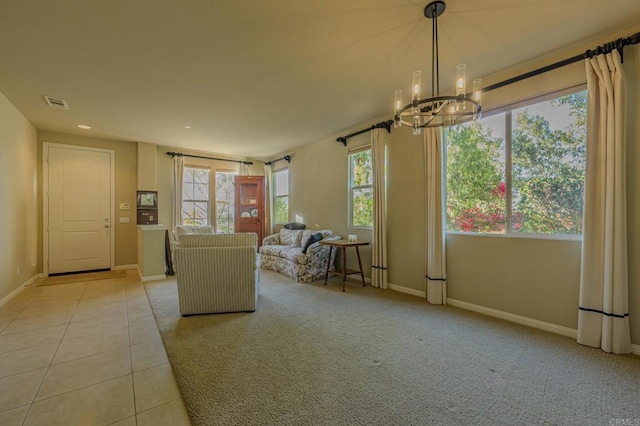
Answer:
(379, 260)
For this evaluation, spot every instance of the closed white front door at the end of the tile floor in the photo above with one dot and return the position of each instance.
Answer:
(79, 209)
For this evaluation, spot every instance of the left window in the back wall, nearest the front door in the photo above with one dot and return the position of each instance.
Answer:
(195, 196)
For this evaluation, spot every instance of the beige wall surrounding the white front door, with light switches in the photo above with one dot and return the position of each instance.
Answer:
(126, 163)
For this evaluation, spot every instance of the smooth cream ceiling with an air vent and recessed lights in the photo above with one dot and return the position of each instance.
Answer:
(255, 78)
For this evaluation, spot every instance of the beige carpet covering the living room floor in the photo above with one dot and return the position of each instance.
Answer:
(313, 355)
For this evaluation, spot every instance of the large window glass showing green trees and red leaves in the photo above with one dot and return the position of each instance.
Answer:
(520, 171)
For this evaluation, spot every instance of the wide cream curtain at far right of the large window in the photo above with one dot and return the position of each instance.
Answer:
(603, 318)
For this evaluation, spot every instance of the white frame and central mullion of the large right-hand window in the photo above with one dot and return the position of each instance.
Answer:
(507, 109)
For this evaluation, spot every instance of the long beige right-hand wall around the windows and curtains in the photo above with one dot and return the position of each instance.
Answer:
(534, 278)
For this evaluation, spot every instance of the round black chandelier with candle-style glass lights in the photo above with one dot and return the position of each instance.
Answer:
(437, 111)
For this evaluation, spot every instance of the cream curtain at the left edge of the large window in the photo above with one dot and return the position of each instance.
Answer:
(436, 274)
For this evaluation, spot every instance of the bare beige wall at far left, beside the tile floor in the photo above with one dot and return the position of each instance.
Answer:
(18, 192)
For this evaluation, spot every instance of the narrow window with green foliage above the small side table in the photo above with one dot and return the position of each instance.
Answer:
(361, 188)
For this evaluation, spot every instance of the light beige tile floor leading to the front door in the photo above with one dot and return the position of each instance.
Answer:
(85, 353)
